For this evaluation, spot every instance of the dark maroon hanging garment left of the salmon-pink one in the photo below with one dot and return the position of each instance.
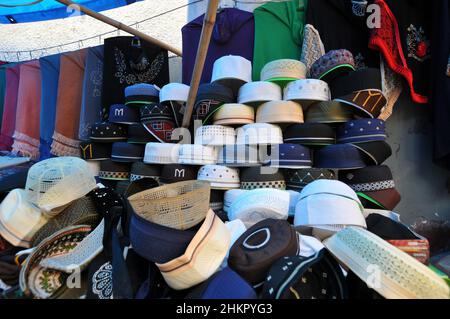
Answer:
(10, 105)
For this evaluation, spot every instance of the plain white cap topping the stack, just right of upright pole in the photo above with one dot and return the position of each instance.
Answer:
(232, 67)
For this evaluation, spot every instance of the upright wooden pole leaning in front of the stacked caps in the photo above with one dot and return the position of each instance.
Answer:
(202, 50)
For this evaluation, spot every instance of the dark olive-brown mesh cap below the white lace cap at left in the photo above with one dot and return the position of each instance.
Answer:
(80, 212)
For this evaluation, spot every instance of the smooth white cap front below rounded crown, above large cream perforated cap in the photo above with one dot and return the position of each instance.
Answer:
(326, 210)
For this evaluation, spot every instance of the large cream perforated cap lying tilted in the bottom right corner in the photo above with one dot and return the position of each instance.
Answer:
(401, 276)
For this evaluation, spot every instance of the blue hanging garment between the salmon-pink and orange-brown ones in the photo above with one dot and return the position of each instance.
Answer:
(49, 89)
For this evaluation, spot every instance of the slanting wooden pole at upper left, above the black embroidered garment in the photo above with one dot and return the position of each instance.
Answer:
(120, 26)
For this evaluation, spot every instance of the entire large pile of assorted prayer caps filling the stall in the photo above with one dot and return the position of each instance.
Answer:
(280, 192)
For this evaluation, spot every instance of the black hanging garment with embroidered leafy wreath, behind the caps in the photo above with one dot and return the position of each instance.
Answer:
(128, 61)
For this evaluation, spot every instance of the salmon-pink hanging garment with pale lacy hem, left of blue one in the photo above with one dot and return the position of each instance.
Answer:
(26, 132)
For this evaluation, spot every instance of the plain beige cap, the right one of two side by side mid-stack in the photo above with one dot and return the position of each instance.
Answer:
(279, 112)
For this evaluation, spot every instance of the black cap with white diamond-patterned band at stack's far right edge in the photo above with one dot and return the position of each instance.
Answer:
(370, 178)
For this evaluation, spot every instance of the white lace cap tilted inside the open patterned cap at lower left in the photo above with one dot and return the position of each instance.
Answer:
(80, 257)
